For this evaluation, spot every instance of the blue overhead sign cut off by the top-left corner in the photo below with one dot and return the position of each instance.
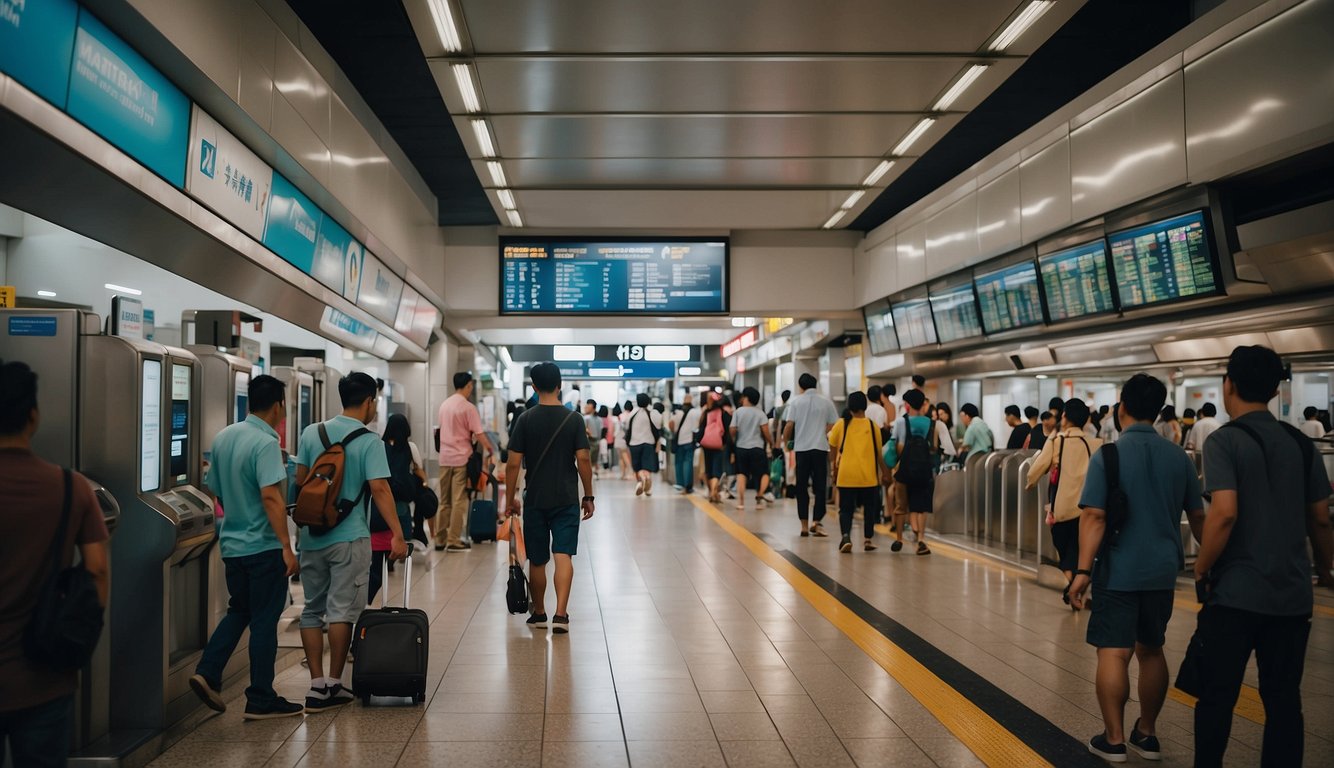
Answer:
(37, 43)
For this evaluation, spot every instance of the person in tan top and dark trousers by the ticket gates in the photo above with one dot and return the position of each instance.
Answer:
(1067, 457)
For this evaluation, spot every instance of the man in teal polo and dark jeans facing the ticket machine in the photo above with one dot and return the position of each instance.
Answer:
(246, 477)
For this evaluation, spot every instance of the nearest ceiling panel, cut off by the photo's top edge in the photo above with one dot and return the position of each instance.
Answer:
(736, 26)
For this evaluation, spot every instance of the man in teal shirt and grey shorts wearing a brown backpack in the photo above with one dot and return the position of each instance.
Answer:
(337, 565)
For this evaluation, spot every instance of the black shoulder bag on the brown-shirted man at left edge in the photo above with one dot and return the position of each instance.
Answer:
(67, 622)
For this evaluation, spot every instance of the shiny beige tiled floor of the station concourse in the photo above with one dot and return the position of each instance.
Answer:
(688, 650)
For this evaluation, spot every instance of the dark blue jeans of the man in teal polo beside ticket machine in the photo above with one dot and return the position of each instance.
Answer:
(258, 589)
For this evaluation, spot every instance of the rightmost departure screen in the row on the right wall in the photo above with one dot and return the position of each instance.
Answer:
(1164, 262)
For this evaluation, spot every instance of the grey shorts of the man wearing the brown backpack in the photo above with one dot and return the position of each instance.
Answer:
(336, 582)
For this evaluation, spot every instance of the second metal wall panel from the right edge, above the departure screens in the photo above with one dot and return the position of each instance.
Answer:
(1131, 153)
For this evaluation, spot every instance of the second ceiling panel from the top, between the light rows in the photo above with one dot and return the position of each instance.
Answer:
(721, 86)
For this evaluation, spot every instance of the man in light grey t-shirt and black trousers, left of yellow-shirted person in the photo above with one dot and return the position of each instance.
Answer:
(810, 417)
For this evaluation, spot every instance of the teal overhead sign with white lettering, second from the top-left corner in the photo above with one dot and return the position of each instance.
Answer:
(125, 99)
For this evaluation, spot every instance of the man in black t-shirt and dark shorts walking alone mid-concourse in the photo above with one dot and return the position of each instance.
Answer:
(557, 451)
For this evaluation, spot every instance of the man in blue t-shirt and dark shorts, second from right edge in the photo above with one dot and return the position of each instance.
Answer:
(1133, 571)
